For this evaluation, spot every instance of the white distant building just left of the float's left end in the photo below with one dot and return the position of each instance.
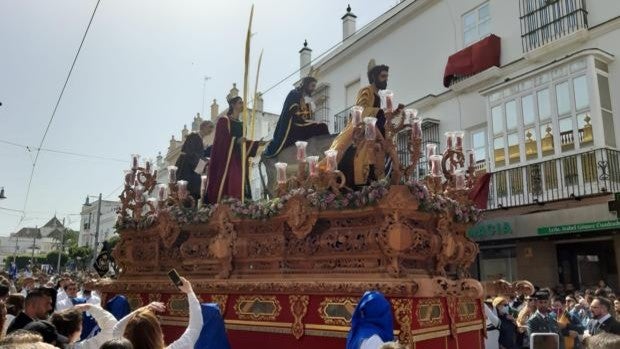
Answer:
(88, 222)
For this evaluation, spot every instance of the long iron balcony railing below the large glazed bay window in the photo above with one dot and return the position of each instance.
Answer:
(570, 177)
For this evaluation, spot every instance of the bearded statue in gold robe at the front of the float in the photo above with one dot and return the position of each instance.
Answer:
(362, 165)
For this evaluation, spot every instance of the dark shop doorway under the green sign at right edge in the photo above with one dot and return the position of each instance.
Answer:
(583, 264)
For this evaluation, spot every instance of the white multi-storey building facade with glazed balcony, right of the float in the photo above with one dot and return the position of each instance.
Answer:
(541, 121)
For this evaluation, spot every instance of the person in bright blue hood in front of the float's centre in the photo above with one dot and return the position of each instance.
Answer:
(372, 323)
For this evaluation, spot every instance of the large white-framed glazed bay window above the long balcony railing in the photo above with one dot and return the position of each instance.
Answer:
(545, 115)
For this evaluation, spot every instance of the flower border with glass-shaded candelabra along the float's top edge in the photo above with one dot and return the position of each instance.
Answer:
(444, 190)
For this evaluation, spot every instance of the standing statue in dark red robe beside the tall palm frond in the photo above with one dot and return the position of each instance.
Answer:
(225, 165)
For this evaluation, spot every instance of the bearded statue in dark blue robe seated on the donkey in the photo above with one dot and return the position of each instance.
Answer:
(293, 124)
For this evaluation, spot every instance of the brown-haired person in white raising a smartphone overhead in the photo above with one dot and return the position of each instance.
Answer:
(143, 330)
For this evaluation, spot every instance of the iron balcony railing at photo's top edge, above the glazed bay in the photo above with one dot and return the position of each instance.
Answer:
(544, 21)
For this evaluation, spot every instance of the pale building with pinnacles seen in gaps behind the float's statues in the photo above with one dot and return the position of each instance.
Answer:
(264, 127)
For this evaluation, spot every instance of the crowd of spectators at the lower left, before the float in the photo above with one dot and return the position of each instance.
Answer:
(65, 313)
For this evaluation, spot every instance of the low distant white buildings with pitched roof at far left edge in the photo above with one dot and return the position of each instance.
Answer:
(42, 240)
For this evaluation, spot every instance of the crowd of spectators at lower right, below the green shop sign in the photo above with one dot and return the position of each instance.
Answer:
(582, 319)
